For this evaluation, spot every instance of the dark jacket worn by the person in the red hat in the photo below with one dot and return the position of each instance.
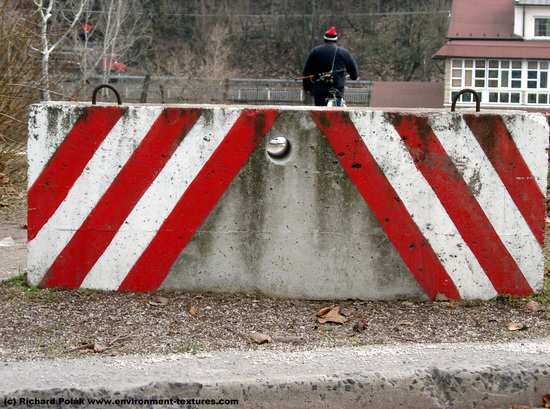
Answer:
(320, 60)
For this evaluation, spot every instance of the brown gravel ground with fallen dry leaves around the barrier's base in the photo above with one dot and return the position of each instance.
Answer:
(44, 324)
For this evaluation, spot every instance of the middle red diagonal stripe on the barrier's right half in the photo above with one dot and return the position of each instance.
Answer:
(461, 205)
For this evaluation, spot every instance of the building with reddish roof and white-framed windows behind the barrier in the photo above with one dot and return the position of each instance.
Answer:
(500, 49)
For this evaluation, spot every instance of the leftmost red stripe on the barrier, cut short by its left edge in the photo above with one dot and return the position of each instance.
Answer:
(65, 166)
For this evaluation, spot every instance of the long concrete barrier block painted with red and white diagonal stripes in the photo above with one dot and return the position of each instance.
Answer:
(364, 204)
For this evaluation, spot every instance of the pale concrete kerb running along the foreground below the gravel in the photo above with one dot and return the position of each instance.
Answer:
(406, 376)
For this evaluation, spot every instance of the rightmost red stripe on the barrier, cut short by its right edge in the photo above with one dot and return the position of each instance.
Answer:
(503, 153)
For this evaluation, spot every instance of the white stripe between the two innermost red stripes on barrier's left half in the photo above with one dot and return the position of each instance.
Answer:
(161, 198)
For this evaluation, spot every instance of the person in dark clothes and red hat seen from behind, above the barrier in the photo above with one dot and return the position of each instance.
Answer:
(325, 58)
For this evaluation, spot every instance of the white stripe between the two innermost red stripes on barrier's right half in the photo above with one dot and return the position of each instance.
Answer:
(392, 155)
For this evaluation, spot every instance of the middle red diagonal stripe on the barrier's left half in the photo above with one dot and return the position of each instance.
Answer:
(90, 241)
